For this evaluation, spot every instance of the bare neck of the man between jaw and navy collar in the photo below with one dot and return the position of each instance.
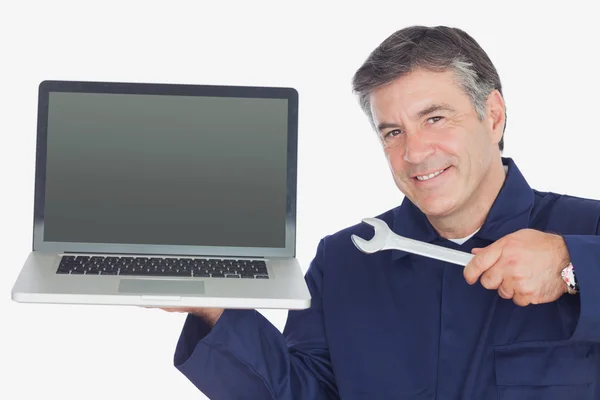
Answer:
(470, 218)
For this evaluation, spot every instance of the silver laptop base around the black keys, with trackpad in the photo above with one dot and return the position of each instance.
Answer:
(39, 282)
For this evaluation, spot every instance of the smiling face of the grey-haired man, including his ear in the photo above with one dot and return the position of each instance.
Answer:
(438, 150)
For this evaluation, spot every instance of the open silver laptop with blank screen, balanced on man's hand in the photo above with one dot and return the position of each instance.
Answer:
(165, 195)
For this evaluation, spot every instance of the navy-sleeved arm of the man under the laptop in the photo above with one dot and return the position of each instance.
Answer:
(245, 357)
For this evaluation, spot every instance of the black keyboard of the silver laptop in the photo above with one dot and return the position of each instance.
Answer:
(166, 267)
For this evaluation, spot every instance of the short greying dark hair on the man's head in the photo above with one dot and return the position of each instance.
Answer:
(436, 49)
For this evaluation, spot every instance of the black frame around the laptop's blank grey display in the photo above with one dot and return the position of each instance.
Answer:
(48, 86)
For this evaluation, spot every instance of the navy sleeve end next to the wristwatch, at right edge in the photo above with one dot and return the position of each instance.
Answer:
(584, 251)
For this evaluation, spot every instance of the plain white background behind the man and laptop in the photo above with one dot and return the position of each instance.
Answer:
(546, 57)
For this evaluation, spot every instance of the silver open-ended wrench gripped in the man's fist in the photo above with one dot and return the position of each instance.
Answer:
(386, 239)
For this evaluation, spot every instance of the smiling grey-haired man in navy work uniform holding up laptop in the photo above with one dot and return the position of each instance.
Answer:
(521, 321)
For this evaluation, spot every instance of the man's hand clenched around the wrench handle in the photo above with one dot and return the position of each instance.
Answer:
(524, 266)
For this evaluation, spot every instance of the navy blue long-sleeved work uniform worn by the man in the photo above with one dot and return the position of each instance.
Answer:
(393, 325)
